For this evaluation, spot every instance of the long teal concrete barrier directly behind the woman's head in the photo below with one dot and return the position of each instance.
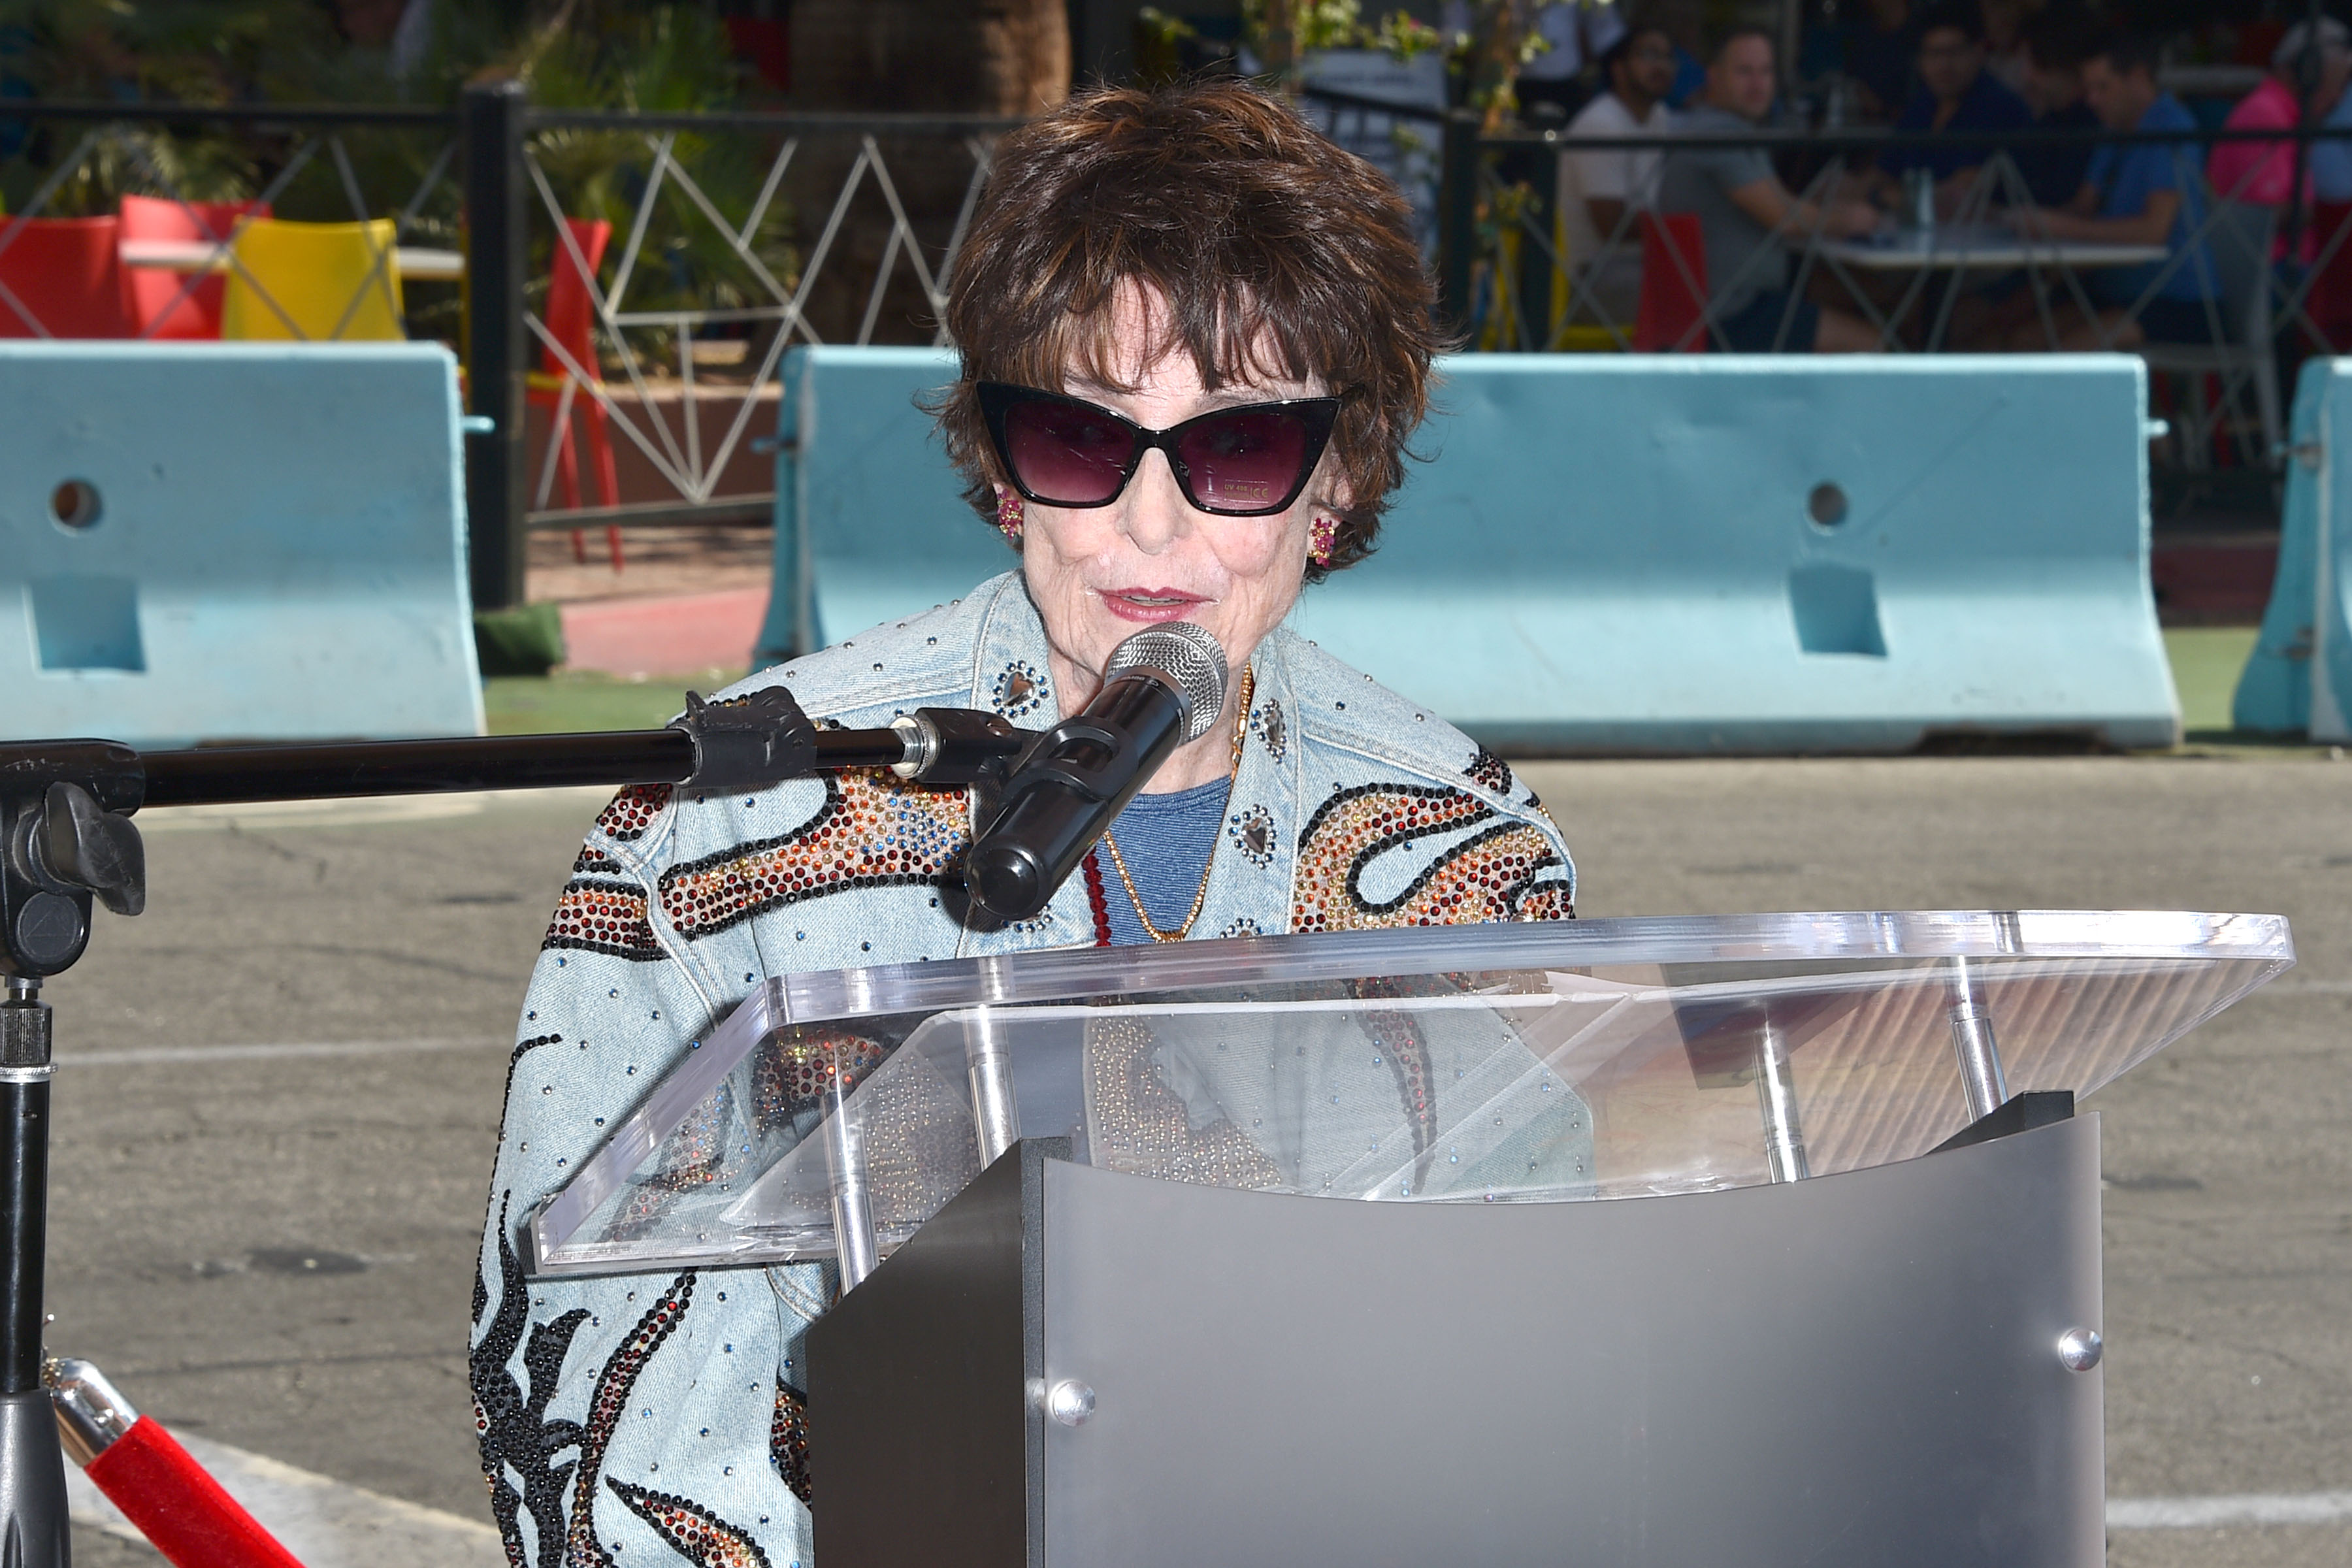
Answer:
(1643, 554)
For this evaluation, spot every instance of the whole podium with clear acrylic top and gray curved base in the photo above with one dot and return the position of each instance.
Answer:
(1097, 1315)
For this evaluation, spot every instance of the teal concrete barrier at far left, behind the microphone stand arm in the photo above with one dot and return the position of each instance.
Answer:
(234, 542)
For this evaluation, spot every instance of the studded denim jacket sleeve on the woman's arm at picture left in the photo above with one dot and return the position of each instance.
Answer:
(632, 1412)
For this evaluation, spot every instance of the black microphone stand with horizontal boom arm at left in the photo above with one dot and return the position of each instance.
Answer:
(67, 840)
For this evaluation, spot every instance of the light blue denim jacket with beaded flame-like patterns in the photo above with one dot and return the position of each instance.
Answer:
(660, 1416)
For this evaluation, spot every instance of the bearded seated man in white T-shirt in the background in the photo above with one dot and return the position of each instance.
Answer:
(1603, 185)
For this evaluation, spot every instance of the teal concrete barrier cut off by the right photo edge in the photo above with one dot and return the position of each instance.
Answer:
(2301, 666)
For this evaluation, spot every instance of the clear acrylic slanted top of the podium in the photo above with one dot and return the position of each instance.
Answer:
(1549, 1061)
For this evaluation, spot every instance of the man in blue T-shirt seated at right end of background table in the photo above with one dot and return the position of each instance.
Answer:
(2144, 194)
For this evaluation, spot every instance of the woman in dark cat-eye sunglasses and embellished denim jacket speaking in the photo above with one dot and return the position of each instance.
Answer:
(1196, 340)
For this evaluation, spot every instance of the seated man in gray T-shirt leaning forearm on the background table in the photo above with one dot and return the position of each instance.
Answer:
(1749, 215)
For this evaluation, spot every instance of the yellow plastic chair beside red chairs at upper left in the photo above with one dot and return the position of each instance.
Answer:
(314, 283)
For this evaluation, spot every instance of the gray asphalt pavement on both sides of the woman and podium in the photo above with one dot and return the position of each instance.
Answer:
(281, 1092)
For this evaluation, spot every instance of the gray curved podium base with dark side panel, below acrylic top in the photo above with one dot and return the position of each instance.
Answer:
(1855, 1369)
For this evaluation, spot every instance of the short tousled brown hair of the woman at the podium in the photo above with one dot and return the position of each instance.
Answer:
(1278, 257)
